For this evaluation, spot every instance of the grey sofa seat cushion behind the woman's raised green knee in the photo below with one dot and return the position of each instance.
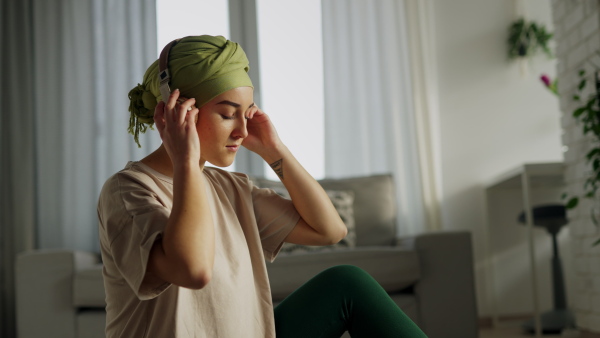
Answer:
(394, 268)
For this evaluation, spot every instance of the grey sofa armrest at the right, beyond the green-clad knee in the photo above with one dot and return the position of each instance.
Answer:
(446, 290)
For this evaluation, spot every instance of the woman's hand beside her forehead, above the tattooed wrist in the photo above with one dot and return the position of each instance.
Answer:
(262, 136)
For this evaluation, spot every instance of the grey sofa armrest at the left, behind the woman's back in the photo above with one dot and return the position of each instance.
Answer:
(44, 291)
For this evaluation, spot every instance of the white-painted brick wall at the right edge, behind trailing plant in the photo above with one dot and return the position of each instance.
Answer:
(577, 32)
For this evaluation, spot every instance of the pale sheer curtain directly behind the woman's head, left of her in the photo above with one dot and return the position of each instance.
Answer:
(87, 55)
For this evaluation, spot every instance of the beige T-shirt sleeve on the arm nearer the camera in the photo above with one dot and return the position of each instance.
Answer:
(134, 218)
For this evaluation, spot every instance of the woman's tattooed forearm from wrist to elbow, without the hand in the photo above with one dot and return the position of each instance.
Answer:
(308, 197)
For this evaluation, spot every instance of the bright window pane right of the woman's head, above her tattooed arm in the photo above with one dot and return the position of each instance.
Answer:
(291, 67)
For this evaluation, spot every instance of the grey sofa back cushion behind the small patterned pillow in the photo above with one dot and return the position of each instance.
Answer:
(374, 205)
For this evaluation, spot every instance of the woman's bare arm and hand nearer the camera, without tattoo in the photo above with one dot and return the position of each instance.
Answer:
(185, 254)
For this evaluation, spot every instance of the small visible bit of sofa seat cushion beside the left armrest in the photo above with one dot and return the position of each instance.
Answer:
(88, 287)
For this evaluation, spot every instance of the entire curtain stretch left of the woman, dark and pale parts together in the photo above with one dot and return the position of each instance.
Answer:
(67, 68)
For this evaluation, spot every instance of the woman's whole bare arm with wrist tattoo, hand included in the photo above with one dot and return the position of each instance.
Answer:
(320, 224)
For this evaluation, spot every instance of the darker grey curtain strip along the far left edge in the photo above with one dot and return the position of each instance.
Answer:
(17, 191)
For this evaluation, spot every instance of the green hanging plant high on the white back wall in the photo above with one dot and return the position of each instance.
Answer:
(526, 39)
